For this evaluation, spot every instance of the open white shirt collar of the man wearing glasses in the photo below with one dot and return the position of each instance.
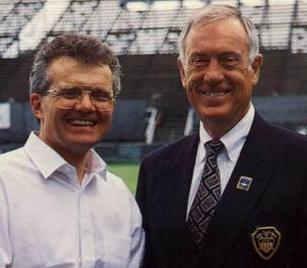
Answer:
(48, 161)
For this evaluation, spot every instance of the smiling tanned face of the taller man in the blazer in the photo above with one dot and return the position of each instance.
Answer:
(217, 75)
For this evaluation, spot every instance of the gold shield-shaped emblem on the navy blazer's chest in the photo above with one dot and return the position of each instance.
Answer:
(266, 241)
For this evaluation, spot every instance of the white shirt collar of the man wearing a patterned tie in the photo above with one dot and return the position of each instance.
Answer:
(235, 137)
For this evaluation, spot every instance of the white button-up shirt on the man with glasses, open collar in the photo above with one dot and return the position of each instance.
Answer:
(47, 219)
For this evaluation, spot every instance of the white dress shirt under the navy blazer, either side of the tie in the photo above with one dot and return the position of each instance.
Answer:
(233, 141)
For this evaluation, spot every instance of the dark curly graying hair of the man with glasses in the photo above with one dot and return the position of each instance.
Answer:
(85, 49)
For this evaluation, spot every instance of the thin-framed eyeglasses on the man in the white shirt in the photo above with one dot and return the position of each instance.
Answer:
(68, 98)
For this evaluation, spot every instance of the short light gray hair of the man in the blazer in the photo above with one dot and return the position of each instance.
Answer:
(212, 13)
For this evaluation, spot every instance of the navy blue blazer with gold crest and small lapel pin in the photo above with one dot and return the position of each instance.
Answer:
(260, 221)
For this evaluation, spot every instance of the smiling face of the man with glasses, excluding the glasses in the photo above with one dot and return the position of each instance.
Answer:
(75, 130)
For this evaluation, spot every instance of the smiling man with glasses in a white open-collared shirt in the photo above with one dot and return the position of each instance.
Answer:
(59, 205)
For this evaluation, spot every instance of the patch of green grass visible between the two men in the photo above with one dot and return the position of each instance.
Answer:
(128, 172)
